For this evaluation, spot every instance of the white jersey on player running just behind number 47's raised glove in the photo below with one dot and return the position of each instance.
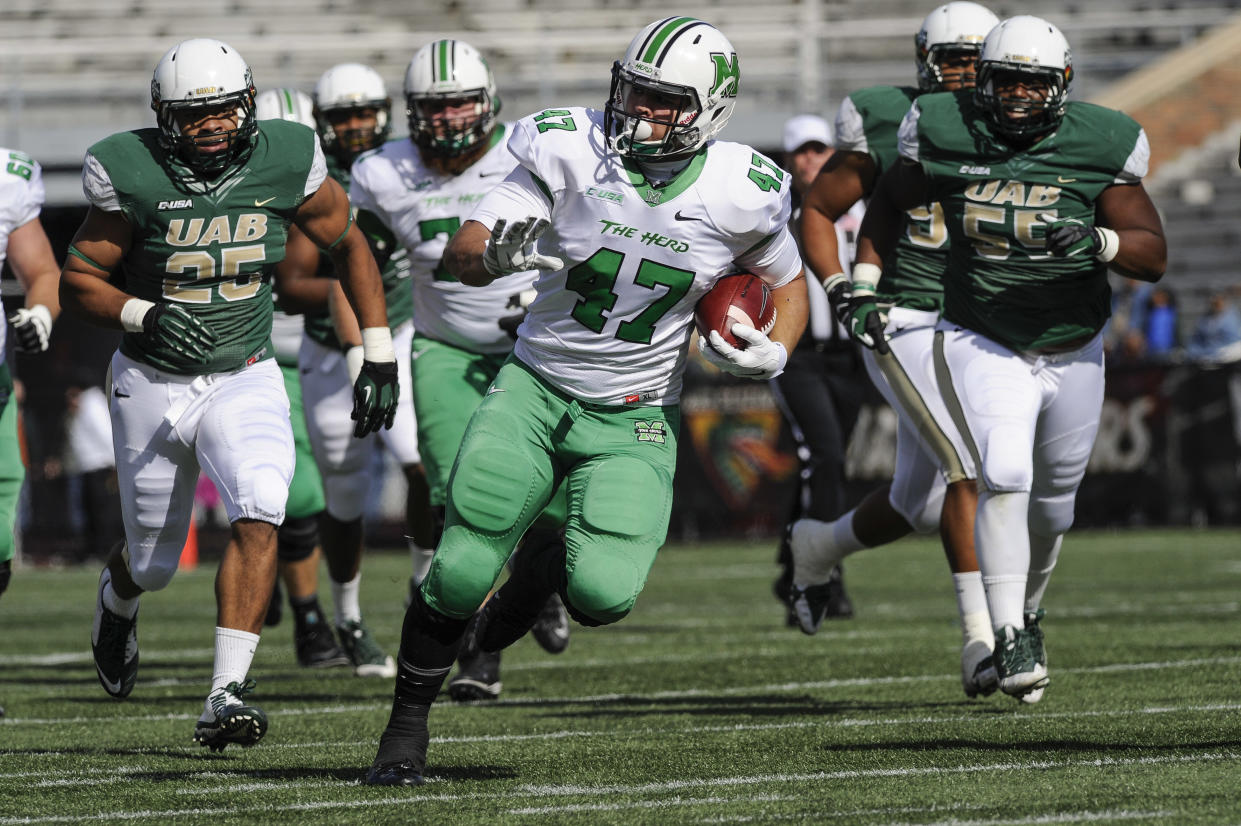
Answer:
(424, 209)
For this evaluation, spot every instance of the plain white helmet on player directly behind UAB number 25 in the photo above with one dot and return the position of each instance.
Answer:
(344, 87)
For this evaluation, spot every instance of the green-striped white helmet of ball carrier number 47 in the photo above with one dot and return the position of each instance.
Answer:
(683, 61)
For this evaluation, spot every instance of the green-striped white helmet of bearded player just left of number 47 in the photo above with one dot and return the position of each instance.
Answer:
(444, 71)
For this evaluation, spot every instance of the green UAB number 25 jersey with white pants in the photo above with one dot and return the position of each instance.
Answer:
(212, 250)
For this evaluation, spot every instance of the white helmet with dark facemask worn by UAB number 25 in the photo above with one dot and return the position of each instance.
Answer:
(204, 74)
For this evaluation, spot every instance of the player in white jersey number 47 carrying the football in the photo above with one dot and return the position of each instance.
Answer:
(632, 214)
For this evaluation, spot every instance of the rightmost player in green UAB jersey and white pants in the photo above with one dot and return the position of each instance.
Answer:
(1041, 199)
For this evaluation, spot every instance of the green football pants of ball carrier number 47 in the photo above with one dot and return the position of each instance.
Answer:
(524, 441)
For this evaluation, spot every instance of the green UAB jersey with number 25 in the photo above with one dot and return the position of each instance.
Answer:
(213, 247)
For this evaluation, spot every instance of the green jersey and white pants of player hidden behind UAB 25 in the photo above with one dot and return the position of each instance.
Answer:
(328, 395)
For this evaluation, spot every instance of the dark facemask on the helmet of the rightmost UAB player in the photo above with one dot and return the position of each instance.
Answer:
(1021, 120)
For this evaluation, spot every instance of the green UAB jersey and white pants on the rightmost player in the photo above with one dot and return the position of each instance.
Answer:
(1022, 354)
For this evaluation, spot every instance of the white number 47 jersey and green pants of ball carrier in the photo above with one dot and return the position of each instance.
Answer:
(591, 394)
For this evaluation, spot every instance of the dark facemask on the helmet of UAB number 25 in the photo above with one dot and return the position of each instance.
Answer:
(240, 141)
